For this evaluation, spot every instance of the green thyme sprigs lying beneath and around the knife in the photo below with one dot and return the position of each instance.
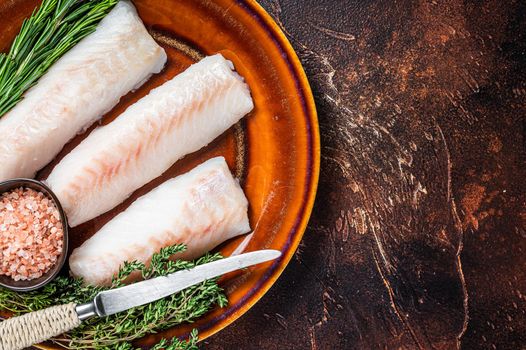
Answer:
(120, 330)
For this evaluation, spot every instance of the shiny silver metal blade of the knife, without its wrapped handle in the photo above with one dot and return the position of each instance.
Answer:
(121, 299)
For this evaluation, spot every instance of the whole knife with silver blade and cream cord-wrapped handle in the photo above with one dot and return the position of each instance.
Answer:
(35, 327)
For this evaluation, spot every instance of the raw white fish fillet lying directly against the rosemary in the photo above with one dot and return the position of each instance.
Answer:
(78, 89)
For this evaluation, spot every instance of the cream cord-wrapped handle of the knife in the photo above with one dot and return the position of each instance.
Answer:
(35, 327)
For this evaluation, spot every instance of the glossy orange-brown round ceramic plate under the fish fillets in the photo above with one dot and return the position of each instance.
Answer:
(274, 150)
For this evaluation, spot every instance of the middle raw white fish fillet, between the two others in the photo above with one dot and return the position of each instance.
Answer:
(175, 119)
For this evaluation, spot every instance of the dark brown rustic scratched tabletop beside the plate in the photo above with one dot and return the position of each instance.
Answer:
(418, 236)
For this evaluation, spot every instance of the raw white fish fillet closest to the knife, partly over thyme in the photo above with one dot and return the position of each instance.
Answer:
(201, 208)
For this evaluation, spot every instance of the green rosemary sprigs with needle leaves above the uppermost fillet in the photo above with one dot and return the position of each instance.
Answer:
(54, 28)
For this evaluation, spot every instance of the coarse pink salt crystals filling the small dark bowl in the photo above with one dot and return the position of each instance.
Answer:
(31, 234)
